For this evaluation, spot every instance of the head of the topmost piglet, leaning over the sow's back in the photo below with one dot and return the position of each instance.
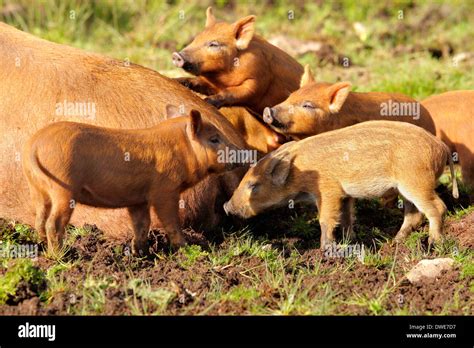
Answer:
(215, 49)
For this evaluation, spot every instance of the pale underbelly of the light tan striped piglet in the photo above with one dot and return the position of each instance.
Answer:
(370, 188)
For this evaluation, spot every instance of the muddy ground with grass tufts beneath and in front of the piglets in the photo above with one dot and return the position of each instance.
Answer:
(278, 270)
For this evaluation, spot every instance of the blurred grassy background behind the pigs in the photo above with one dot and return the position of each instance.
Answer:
(414, 47)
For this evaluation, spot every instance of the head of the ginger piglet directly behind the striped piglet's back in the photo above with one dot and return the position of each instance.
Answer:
(309, 110)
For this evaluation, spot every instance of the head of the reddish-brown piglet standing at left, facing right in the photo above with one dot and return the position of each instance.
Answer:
(209, 144)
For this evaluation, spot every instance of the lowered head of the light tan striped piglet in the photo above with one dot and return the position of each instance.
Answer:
(269, 184)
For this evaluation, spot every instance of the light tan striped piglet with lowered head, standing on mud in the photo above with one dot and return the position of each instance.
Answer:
(362, 161)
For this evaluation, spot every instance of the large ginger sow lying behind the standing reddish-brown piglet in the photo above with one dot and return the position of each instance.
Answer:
(44, 82)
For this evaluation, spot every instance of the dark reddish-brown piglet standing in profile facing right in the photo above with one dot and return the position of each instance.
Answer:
(67, 163)
